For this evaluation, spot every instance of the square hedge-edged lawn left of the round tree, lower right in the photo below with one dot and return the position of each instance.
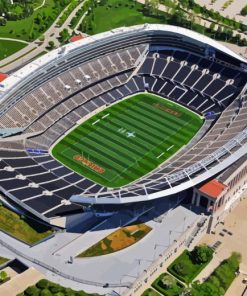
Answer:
(189, 269)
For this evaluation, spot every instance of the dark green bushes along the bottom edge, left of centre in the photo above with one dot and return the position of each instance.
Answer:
(47, 288)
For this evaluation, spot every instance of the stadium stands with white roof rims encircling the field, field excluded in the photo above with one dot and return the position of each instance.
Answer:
(46, 98)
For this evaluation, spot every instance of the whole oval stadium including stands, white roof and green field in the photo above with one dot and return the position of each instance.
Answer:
(126, 116)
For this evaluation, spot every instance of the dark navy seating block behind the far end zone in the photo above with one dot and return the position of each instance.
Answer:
(201, 84)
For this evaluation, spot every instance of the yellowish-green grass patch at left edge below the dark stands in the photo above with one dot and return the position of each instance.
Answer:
(22, 228)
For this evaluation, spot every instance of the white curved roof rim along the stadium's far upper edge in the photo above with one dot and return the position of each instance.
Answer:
(50, 57)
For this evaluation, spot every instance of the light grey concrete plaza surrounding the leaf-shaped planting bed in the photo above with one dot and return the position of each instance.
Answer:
(120, 267)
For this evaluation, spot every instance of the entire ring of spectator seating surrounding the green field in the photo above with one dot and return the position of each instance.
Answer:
(33, 178)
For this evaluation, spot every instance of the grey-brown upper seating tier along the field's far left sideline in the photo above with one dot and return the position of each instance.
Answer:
(75, 80)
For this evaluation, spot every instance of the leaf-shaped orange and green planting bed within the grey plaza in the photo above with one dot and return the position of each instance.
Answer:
(118, 240)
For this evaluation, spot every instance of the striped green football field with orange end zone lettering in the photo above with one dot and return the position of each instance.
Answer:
(127, 140)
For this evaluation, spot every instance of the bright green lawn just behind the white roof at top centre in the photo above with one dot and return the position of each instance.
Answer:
(118, 13)
